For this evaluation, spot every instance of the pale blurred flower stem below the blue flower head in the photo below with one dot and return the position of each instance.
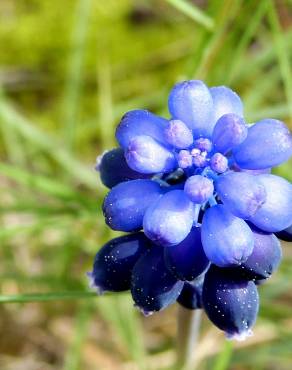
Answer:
(188, 326)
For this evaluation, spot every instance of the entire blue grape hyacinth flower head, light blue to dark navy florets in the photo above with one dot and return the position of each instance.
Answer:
(200, 187)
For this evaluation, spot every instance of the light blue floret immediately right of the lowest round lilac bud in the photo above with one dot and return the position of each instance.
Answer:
(241, 192)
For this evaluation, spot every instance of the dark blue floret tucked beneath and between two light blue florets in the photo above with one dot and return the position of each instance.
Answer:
(187, 260)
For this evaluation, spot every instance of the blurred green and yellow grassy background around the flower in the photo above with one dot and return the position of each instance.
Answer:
(68, 70)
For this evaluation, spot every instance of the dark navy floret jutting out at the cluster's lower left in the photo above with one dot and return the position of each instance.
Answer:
(114, 262)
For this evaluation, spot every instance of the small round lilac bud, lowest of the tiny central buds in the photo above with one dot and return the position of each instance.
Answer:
(199, 189)
